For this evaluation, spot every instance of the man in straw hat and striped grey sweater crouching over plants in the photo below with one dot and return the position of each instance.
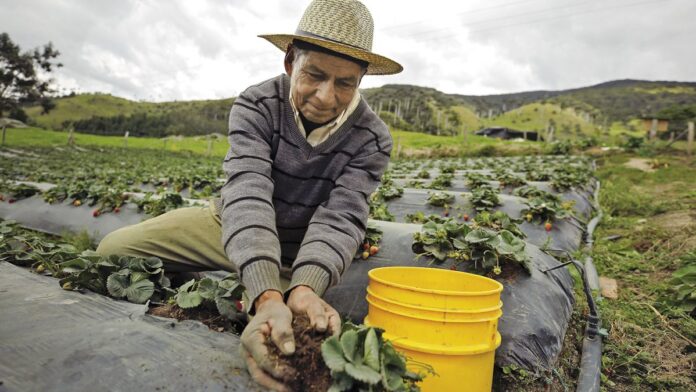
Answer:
(305, 154)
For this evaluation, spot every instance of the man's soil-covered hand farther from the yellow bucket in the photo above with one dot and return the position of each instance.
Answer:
(273, 318)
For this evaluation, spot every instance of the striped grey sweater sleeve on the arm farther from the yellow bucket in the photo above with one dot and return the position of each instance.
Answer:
(249, 234)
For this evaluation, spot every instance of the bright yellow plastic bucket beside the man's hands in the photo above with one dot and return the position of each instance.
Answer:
(446, 319)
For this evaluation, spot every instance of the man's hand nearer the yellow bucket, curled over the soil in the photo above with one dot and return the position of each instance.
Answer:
(304, 301)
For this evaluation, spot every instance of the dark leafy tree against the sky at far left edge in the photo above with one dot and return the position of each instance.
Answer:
(20, 82)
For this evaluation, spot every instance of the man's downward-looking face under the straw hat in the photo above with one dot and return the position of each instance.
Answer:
(324, 85)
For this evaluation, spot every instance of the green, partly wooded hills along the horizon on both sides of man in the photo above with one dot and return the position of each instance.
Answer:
(595, 110)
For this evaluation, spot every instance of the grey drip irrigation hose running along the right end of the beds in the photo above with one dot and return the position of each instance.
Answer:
(591, 361)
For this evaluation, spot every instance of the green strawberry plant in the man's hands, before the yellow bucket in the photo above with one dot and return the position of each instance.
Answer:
(361, 360)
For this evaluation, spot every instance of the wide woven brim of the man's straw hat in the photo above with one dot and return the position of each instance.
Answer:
(378, 65)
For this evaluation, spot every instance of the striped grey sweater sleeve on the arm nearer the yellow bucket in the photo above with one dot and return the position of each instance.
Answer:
(338, 226)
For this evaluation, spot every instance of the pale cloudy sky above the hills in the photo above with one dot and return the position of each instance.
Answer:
(166, 50)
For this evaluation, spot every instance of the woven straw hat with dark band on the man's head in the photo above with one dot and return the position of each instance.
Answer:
(343, 26)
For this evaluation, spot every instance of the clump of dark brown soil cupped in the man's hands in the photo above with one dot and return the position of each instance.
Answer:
(311, 373)
